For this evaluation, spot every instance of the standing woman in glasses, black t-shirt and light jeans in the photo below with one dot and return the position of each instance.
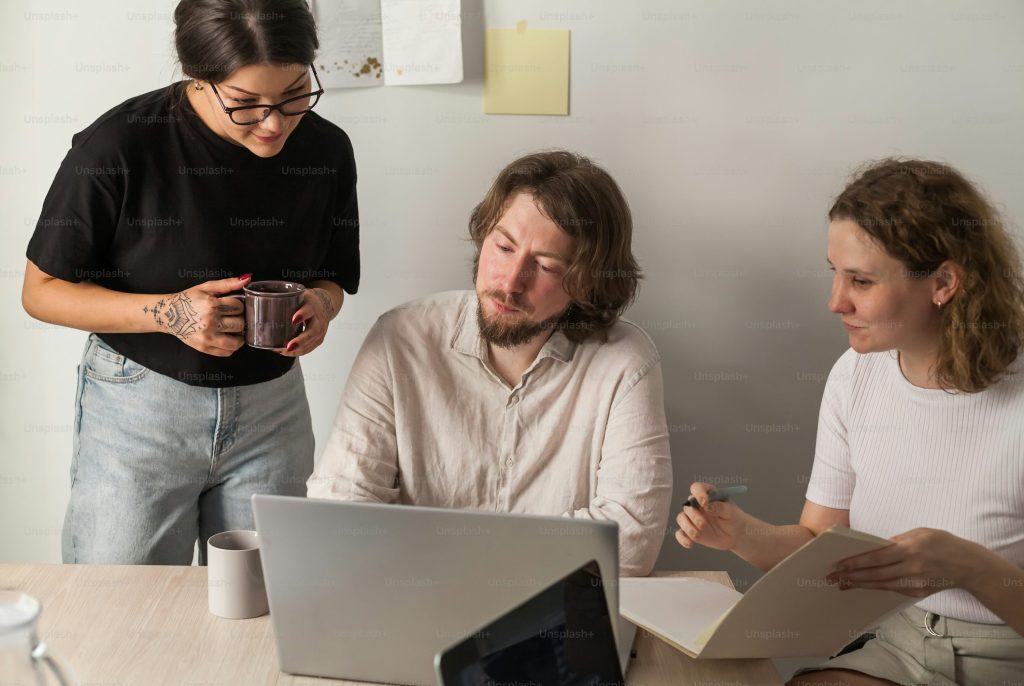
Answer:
(163, 207)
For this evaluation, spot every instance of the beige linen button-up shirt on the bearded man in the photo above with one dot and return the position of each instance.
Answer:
(425, 420)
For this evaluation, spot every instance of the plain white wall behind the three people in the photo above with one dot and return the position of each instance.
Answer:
(730, 125)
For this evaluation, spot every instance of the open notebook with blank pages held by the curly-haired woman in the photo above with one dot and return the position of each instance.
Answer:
(789, 613)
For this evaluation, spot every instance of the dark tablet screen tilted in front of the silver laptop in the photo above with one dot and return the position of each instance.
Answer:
(561, 637)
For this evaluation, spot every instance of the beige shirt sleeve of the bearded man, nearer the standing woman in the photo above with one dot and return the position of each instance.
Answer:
(361, 460)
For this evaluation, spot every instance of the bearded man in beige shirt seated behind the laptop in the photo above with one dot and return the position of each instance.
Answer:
(528, 395)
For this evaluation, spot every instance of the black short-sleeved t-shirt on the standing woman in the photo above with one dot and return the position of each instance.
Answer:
(150, 200)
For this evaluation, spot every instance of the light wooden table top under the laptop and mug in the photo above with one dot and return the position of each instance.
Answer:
(121, 626)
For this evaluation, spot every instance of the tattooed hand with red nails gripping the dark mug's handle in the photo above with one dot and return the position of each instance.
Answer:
(203, 320)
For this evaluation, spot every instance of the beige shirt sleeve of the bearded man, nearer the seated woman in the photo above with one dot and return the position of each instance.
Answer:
(634, 476)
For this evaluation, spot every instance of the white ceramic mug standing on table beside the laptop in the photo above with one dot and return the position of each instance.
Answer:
(235, 576)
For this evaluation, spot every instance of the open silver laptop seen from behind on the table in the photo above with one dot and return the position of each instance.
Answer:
(372, 592)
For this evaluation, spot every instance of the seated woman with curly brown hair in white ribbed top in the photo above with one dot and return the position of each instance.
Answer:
(921, 436)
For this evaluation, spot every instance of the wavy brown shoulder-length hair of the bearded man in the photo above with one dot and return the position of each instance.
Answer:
(586, 203)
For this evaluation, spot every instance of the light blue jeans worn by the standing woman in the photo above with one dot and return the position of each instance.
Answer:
(159, 464)
